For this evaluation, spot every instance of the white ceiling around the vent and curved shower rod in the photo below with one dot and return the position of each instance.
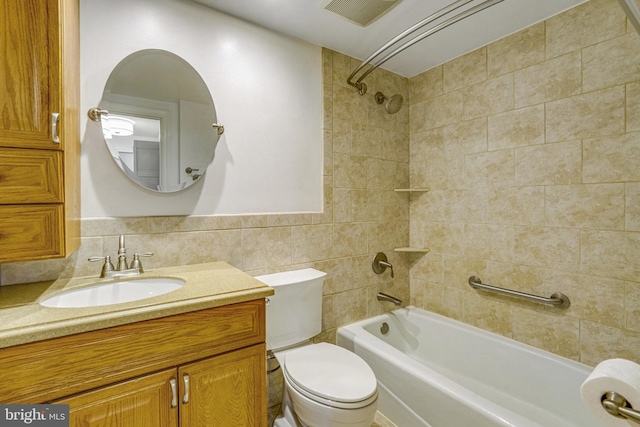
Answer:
(306, 20)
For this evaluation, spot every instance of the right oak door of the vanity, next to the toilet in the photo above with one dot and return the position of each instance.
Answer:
(226, 390)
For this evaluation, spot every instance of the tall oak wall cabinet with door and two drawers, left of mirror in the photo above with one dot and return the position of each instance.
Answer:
(39, 129)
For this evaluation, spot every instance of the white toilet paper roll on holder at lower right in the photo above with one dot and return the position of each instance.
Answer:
(619, 375)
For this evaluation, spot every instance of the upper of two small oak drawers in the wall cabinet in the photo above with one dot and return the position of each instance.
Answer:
(30, 176)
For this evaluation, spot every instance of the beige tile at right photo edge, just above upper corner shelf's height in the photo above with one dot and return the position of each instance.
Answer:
(612, 159)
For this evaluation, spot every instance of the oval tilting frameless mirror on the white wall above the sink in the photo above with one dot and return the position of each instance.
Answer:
(158, 120)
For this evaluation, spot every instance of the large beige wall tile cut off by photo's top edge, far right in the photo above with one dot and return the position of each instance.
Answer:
(584, 25)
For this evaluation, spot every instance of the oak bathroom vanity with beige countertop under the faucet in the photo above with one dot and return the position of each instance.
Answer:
(201, 367)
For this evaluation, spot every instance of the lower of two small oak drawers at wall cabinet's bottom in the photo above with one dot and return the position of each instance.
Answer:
(30, 232)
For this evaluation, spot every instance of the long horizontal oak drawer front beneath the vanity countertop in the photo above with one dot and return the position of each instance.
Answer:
(48, 370)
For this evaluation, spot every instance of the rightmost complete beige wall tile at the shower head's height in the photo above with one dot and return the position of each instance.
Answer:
(589, 115)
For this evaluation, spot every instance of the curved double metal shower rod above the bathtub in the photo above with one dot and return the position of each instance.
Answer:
(373, 63)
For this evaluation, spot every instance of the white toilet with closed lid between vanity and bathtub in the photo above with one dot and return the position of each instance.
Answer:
(324, 385)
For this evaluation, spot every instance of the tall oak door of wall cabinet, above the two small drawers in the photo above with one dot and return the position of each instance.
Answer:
(30, 77)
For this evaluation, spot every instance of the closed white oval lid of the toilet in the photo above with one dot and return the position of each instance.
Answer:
(331, 372)
